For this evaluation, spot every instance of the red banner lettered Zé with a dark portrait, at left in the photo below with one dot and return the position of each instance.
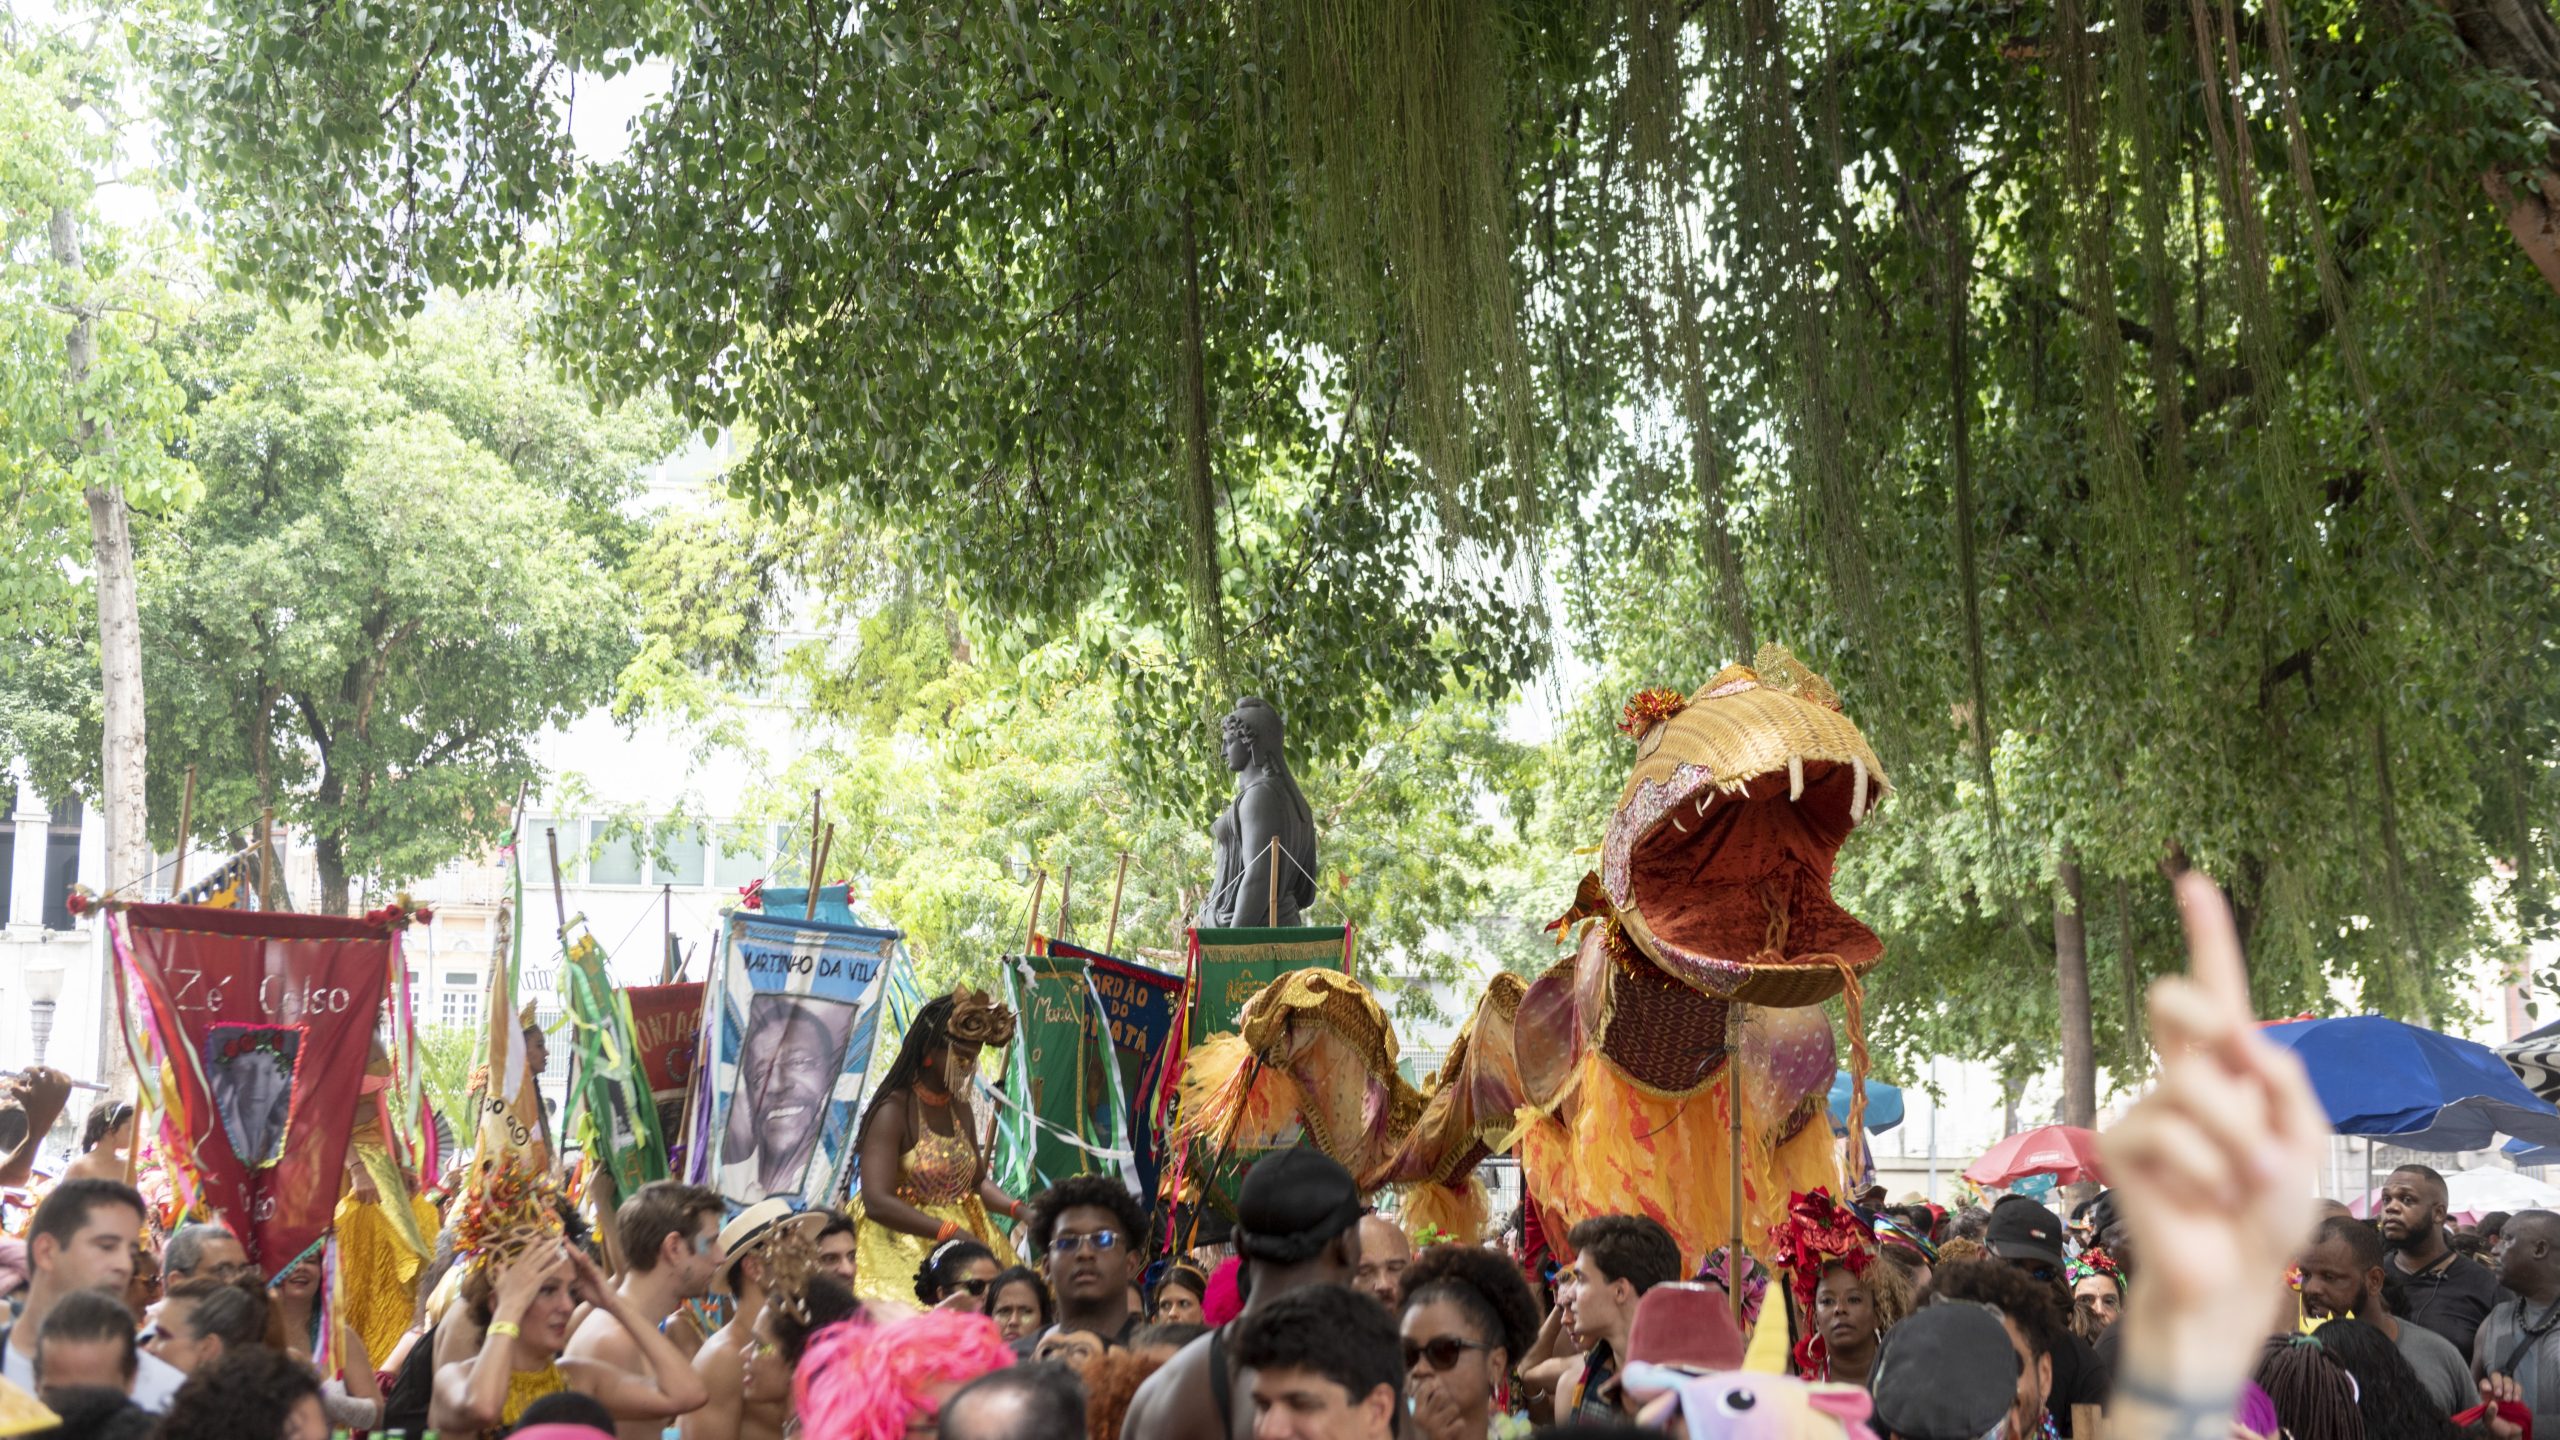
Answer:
(268, 1021)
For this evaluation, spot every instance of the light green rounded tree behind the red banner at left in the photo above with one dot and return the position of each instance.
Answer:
(398, 578)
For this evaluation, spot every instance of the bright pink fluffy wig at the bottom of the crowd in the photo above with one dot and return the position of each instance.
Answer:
(867, 1382)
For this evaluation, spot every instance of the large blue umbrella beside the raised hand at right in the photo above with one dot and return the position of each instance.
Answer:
(2420, 1090)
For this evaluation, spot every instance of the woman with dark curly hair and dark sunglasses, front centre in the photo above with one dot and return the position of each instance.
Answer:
(1466, 1318)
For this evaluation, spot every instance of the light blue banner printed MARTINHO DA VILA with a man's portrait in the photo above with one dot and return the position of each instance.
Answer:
(790, 1026)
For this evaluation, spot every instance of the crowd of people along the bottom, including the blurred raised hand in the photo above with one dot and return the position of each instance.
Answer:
(2198, 1300)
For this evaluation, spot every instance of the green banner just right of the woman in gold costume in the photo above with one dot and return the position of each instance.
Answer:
(1066, 1113)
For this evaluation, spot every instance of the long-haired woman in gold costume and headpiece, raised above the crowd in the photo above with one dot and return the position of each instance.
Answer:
(923, 1172)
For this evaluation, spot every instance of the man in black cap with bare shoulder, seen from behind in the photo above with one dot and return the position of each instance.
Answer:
(1297, 1226)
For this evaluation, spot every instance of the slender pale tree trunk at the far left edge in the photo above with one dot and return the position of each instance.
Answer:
(119, 639)
